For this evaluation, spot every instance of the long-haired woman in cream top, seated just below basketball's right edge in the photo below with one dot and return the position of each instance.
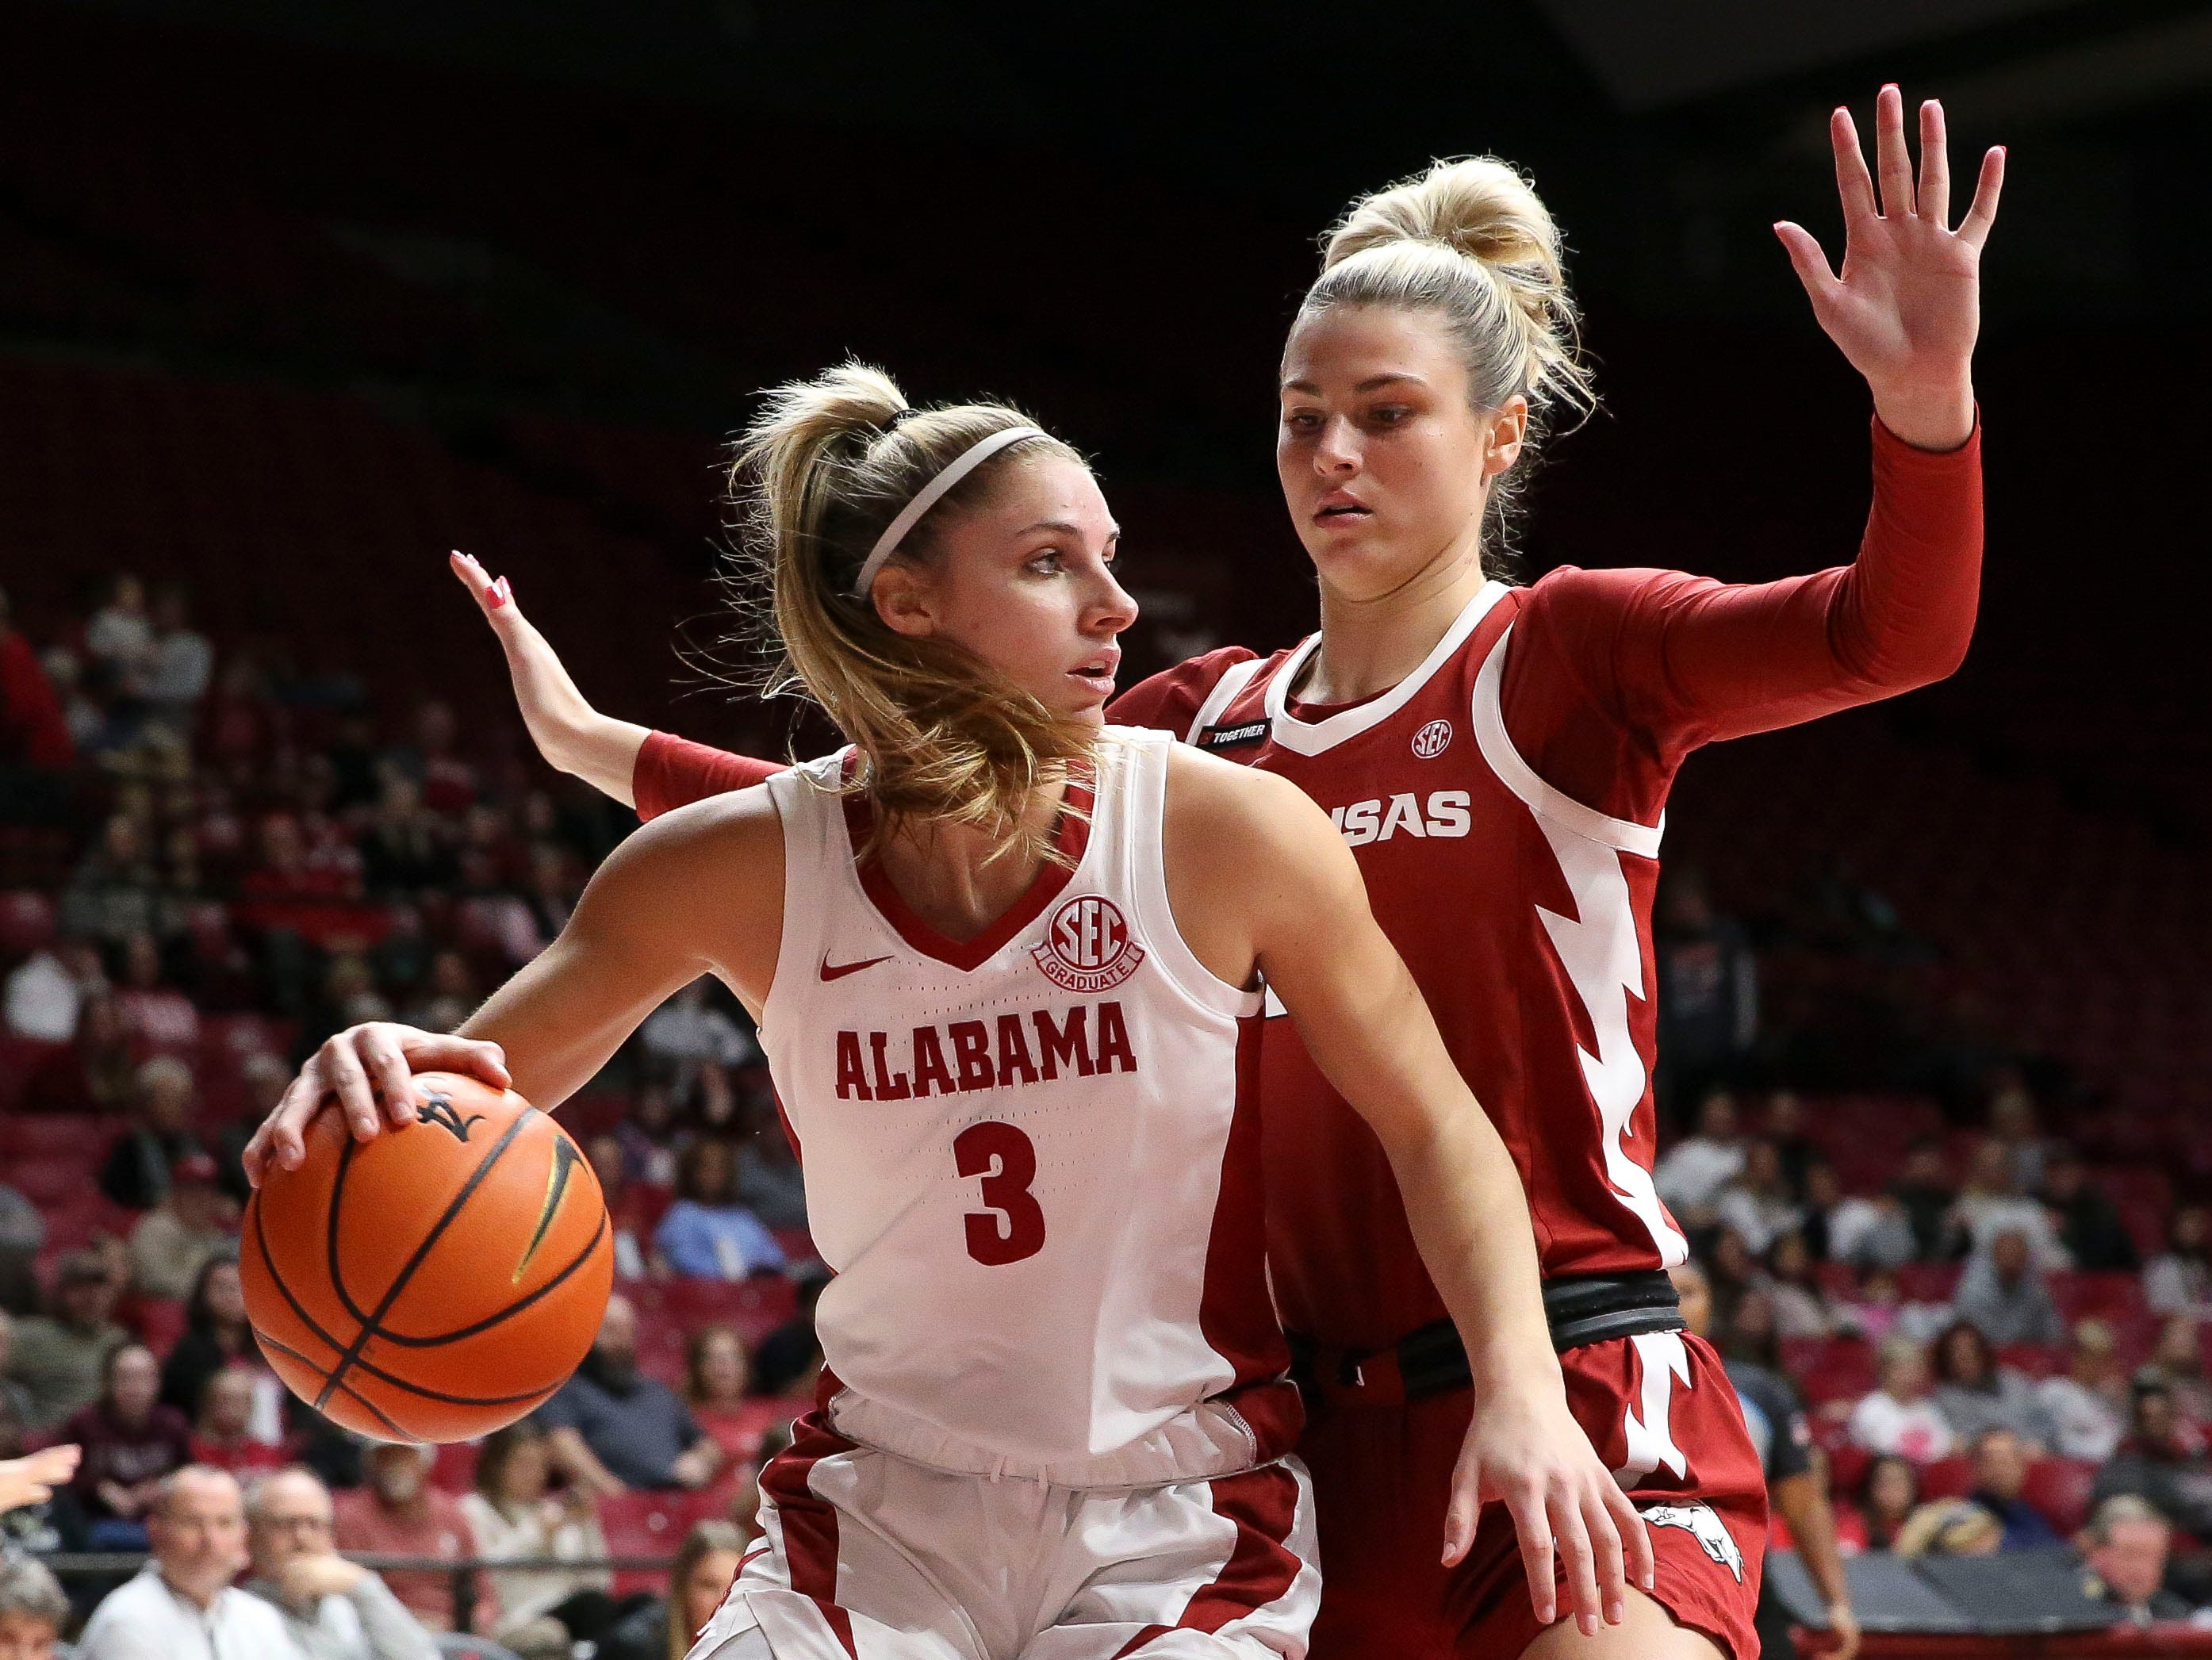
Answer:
(512, 1515)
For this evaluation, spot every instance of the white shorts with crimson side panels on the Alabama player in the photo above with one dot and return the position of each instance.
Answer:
(875, 1557)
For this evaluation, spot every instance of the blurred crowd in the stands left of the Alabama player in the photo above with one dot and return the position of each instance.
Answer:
(242, 867)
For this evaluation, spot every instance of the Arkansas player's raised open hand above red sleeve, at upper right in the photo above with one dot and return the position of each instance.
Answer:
(1908, 304)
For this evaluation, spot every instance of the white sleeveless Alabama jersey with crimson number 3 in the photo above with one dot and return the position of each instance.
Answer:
(1032, 1159)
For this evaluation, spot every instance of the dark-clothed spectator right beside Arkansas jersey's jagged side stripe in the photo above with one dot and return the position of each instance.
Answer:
(1709, 988)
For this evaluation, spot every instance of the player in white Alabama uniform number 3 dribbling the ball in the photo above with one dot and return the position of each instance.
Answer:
(1008, 973)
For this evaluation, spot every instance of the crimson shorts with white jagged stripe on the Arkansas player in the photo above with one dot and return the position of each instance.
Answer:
(1660, 1413)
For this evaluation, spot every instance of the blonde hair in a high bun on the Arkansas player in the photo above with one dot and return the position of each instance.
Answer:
(1474, 245)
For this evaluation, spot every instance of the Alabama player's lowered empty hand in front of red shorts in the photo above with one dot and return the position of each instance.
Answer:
(1527, 1453)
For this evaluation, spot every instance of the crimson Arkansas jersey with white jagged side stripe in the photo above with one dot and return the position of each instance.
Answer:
(1525, 922)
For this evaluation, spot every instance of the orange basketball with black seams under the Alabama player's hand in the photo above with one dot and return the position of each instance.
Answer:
(437, 1283)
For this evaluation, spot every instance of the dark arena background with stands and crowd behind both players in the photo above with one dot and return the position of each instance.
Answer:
(300, 298)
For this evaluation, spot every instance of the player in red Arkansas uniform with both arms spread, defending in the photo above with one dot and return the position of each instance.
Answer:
(1499, 760)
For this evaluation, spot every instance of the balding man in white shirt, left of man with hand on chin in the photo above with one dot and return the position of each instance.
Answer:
(182, 1604)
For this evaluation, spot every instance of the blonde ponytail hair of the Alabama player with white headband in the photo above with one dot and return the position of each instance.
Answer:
(817, 479)
